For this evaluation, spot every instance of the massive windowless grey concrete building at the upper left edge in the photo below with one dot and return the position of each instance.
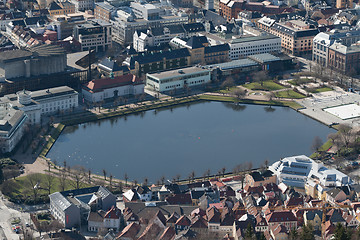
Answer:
(39, 60)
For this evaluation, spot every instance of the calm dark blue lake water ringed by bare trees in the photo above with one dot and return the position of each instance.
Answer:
(201, 136)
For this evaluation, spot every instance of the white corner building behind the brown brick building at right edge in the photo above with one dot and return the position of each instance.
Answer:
(324, 40)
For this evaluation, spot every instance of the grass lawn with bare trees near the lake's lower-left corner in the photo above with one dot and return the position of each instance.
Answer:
(20, 188)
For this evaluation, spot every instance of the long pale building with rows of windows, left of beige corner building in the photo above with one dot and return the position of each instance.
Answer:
(245, 46)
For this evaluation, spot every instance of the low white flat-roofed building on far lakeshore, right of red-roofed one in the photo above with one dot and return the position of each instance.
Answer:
(178, 79)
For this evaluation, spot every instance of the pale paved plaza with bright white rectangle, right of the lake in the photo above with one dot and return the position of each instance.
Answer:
(333, 107)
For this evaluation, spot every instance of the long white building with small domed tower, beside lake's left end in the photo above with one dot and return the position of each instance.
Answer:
(38, 103)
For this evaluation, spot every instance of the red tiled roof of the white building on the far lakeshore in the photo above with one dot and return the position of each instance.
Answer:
(105, 83)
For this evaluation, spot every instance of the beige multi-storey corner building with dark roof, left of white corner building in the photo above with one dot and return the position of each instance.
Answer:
(296, 36)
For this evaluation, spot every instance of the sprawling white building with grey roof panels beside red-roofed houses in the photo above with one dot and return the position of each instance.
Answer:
(297, 170)
